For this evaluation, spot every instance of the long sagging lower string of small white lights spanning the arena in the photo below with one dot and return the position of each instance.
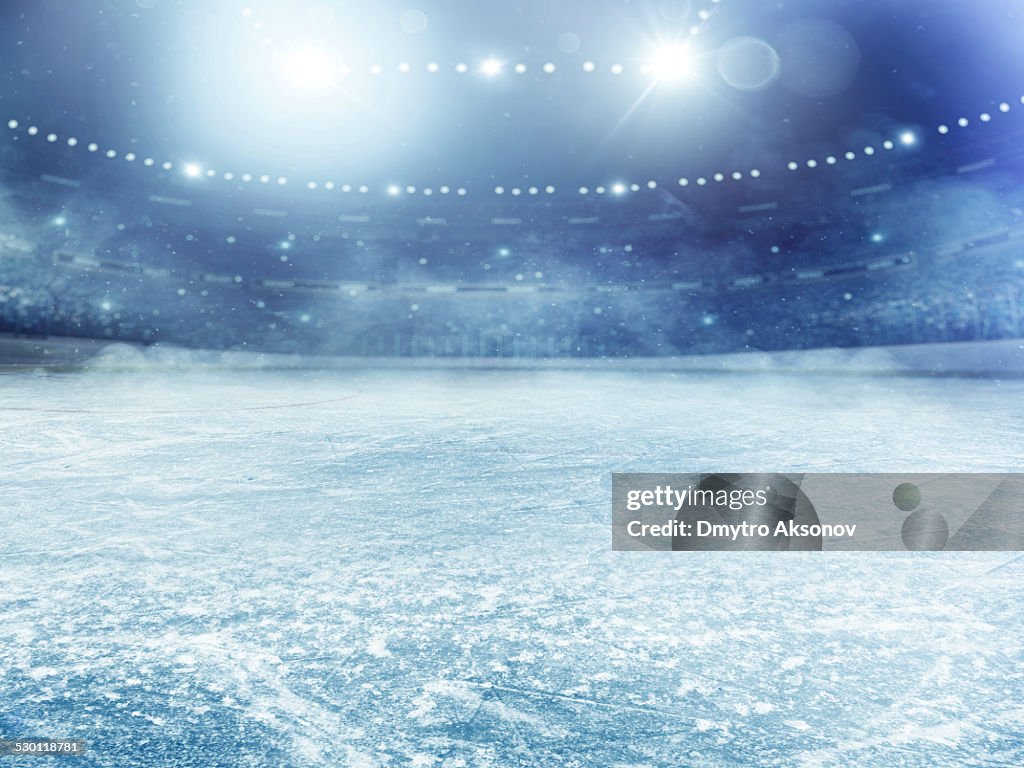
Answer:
(906, 140)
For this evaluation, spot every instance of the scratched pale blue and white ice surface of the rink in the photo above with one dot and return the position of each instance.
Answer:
(414, 569)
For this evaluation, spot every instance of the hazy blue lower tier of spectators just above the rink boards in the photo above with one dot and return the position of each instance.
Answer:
(937, 300)
